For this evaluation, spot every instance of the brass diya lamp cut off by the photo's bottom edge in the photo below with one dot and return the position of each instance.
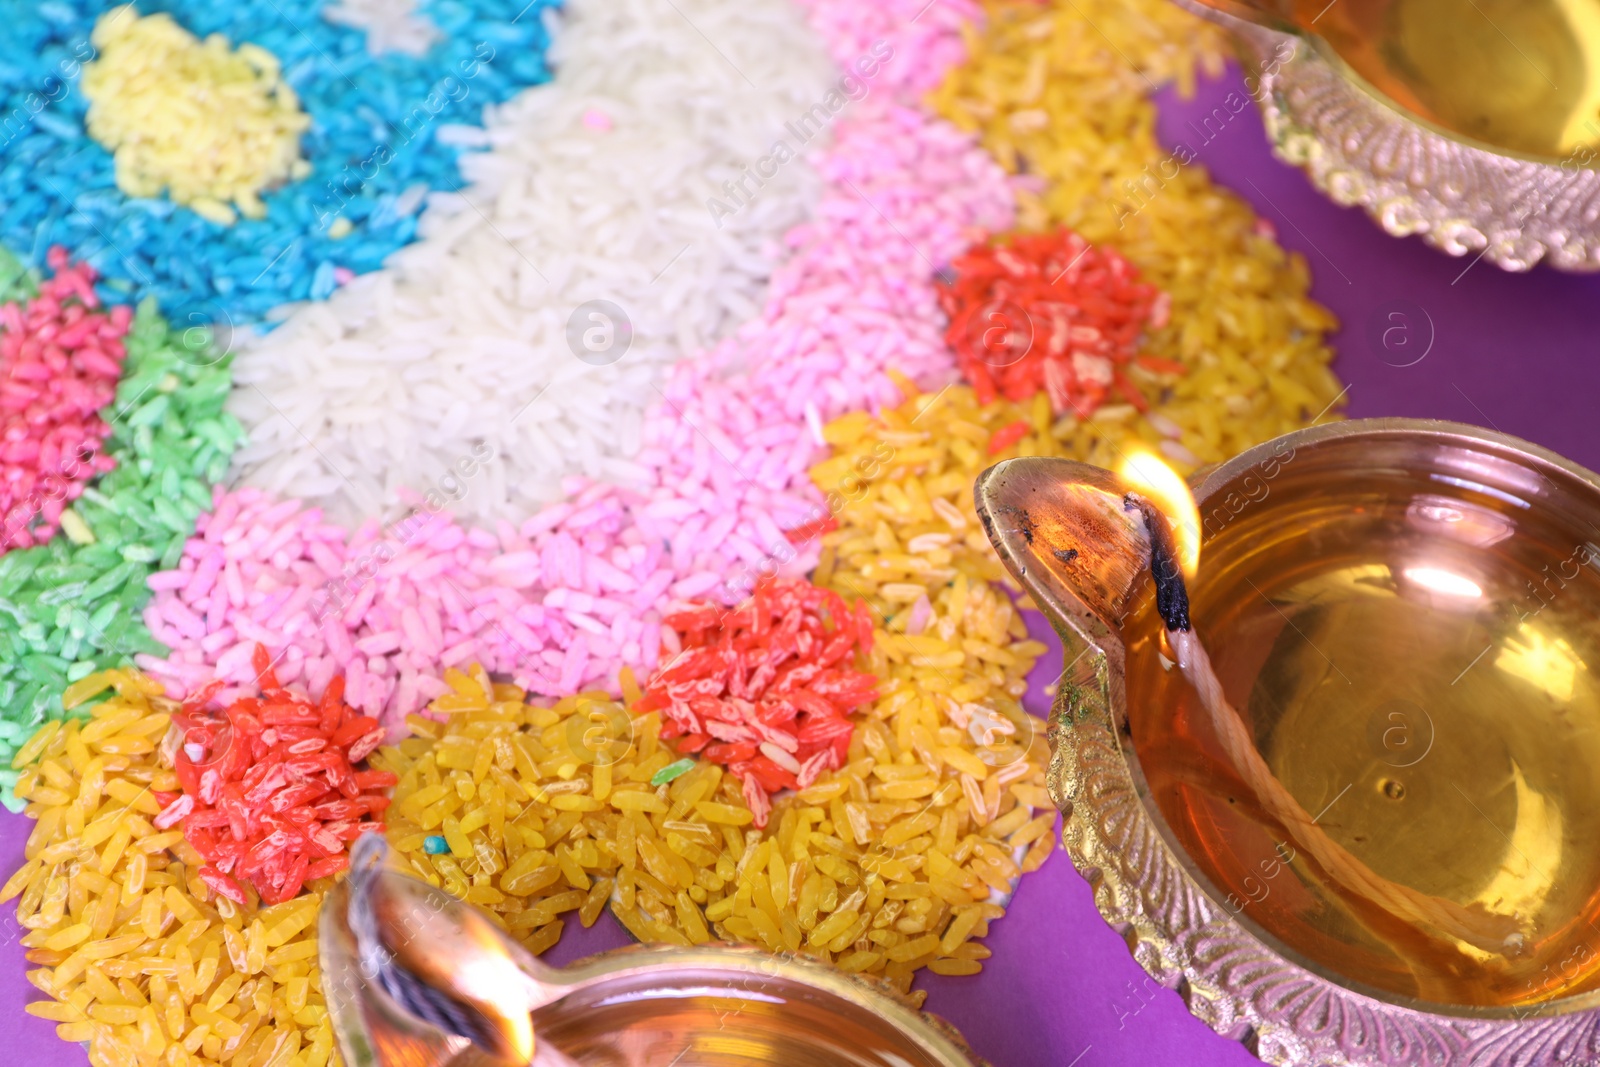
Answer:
(417, 978)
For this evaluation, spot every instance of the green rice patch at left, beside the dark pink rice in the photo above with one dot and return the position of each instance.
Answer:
(71, 607)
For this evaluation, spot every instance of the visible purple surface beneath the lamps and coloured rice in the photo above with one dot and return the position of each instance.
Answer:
(1471, 343)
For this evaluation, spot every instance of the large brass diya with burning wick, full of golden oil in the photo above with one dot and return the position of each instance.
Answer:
(1329, 740)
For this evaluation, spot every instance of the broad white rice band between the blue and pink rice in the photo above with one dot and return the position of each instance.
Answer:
(367, 399)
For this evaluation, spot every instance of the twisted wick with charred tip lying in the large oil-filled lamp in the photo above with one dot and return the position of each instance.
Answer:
(1471, 924)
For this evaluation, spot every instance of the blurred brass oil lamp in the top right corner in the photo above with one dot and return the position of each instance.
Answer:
(1471, 122)
